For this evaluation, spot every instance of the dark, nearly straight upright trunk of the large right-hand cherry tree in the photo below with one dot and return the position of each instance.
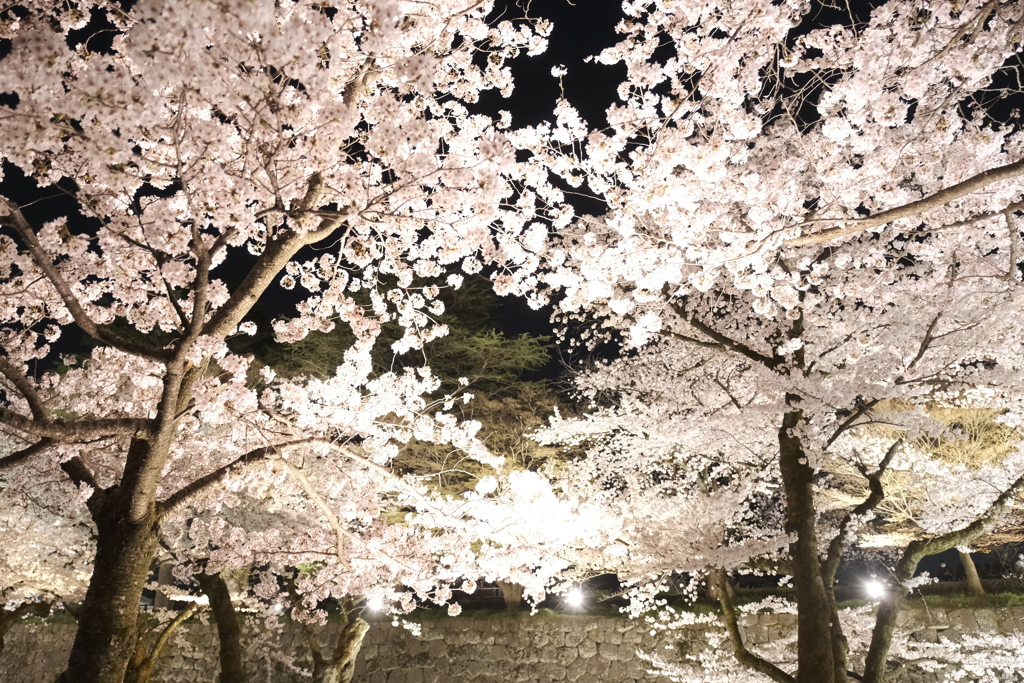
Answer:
(815, 630)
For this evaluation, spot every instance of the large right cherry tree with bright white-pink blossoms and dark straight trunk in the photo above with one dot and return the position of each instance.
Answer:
(828, 220)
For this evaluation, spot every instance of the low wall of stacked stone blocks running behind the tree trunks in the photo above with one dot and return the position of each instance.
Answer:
(463, 650)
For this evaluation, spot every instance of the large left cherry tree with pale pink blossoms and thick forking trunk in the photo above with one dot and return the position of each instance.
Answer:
(196, 133)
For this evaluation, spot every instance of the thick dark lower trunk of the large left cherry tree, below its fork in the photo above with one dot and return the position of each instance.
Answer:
(108, 623)
